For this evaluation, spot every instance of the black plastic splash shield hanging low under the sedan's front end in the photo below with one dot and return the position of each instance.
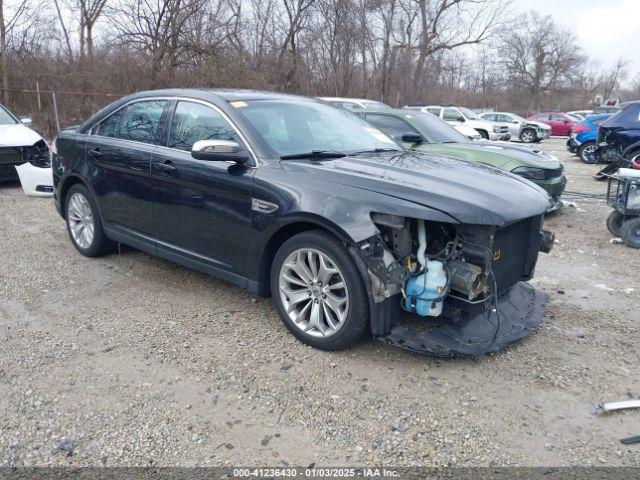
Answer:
(521, 311)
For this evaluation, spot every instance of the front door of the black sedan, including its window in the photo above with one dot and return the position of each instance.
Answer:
(202, 209)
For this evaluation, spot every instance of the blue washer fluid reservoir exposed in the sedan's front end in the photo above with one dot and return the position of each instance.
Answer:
(426, 292)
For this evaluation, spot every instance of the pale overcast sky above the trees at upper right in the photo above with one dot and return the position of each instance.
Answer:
(606, 29)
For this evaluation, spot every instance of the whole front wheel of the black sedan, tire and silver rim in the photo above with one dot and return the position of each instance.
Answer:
(318, 291)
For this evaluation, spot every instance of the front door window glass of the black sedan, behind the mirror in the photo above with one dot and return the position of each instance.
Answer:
(194, 121)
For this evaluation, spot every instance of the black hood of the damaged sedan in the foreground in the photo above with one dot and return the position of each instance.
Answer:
(471, 193)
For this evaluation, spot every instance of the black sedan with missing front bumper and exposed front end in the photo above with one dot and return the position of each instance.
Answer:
(293, 199)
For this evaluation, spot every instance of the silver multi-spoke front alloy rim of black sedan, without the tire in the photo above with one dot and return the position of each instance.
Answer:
(313, 292)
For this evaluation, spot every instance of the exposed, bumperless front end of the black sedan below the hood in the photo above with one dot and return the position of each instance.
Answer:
(469, 279)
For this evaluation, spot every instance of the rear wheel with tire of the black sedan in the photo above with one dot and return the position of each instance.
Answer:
(84, 224)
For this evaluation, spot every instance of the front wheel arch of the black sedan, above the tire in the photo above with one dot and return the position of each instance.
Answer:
(283, 234)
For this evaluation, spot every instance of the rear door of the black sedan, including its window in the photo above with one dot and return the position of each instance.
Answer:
(119, 152)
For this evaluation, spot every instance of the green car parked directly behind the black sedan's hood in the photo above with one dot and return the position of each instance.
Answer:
(427, 133)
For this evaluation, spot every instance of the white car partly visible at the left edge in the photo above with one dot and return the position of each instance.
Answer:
(24, 155)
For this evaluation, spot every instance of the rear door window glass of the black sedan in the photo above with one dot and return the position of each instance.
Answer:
(137, 122)
